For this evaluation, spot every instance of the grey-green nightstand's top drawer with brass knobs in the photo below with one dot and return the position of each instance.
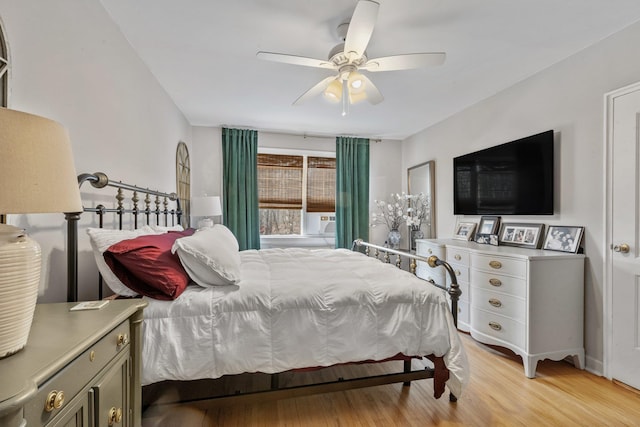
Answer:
(76, 375)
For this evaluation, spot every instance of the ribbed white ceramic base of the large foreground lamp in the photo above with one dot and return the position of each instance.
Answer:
(20, 265)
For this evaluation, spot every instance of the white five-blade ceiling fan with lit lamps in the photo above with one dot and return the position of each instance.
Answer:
(349, 58)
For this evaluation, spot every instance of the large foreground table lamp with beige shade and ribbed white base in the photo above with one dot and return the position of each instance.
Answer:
(37, 175)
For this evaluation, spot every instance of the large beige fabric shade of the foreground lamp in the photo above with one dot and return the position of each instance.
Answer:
(37, 173)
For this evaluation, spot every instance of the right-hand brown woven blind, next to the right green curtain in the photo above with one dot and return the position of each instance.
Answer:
(321, 184)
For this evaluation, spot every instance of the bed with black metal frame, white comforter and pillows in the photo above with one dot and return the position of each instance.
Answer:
(269, 311)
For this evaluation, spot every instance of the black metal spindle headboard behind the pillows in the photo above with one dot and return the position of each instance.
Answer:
(152, 208)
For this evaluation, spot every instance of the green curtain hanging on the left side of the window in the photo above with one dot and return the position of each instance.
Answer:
(240, 186)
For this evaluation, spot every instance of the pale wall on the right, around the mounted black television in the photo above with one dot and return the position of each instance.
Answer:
(568, 98)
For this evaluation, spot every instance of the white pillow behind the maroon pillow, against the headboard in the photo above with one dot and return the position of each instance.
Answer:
(101, 239)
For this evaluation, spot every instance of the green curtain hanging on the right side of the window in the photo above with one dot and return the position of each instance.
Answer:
(352, 190)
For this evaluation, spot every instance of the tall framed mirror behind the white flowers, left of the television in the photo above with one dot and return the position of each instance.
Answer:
(421, 179)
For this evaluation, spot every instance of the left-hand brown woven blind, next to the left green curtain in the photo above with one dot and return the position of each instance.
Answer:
(280, 181)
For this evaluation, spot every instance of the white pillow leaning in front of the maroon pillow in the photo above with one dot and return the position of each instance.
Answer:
(210, 256)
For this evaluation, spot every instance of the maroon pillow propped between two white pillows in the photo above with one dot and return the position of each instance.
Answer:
(146, 265)
